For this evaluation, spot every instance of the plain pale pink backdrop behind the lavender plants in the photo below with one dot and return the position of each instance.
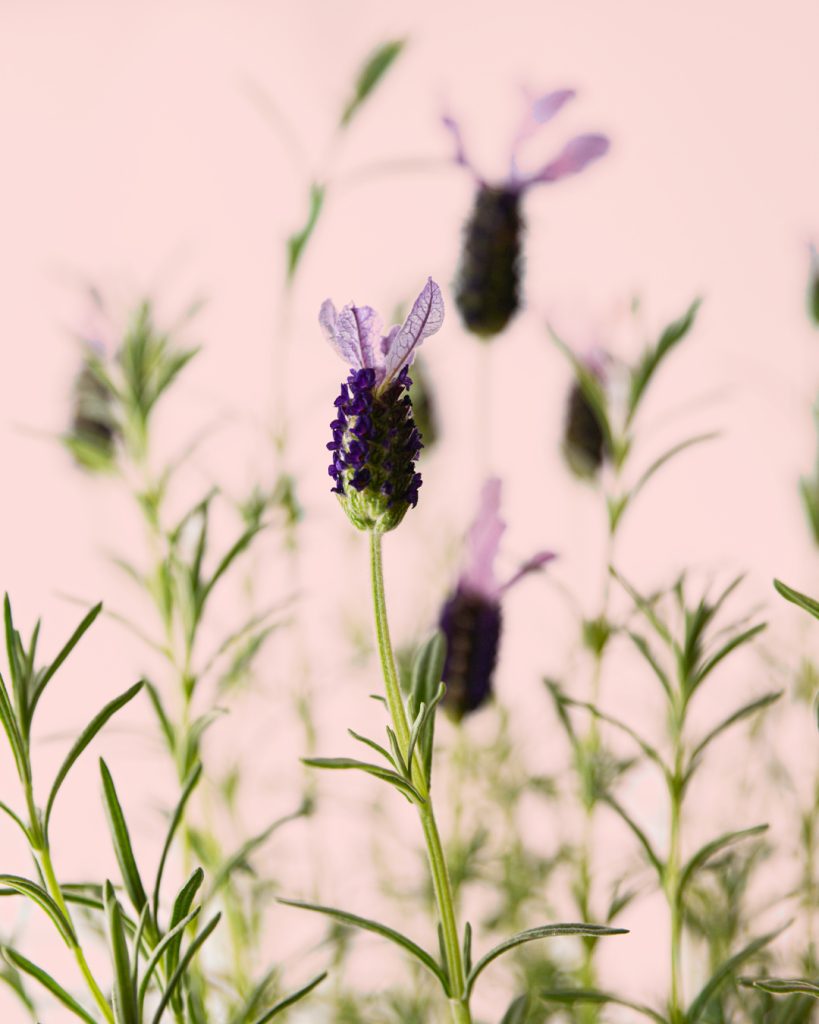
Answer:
(150, 147)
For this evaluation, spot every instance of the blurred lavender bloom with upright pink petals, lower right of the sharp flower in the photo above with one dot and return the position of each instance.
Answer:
(471, 619)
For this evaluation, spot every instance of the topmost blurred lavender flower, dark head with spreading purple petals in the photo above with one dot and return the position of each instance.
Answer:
(488, 286)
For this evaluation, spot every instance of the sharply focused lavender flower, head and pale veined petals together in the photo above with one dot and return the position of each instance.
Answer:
(375, 440)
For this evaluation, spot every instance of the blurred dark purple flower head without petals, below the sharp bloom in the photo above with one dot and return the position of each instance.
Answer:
(471, 623)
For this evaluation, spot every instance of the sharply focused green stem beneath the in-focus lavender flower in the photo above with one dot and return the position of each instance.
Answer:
(441, 877)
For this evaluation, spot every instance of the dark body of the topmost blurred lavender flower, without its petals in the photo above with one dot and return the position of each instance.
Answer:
(488, 287)
